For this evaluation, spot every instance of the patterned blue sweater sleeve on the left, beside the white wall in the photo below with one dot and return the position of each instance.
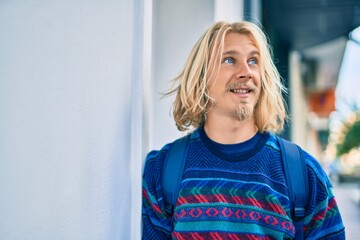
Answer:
(156, 220)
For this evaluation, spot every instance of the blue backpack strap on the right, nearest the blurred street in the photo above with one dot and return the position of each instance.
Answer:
(297, 181)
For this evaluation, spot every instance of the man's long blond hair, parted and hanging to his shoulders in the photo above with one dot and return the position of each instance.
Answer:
(203, 64)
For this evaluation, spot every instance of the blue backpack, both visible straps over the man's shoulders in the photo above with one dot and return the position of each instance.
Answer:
(293, 163)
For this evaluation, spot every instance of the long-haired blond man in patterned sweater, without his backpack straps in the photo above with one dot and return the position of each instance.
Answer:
(233, 185)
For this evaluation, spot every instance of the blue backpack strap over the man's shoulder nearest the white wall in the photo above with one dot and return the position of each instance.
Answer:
(173, 170)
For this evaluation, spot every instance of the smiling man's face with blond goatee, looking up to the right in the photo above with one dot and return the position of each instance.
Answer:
(237, 88)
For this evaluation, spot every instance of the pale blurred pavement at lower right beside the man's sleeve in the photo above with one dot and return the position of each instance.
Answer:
(348, 198)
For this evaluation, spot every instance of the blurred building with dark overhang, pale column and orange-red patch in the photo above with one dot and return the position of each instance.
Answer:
(309, 39)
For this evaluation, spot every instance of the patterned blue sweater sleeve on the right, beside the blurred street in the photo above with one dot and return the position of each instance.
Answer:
(323, 219)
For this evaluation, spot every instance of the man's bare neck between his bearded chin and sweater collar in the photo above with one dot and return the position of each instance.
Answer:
(230, 131)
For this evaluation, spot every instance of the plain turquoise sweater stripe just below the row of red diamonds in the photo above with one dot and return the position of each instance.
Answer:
(203, 228)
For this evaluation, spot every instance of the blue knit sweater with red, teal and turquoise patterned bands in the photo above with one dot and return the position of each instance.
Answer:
(235, 191)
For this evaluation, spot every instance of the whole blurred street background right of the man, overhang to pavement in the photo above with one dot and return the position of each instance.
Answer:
(318, 47)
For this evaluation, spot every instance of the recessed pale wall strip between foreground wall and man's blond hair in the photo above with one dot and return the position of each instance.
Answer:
(176, 27)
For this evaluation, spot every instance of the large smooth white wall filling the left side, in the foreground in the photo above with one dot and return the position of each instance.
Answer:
(69, 106)
